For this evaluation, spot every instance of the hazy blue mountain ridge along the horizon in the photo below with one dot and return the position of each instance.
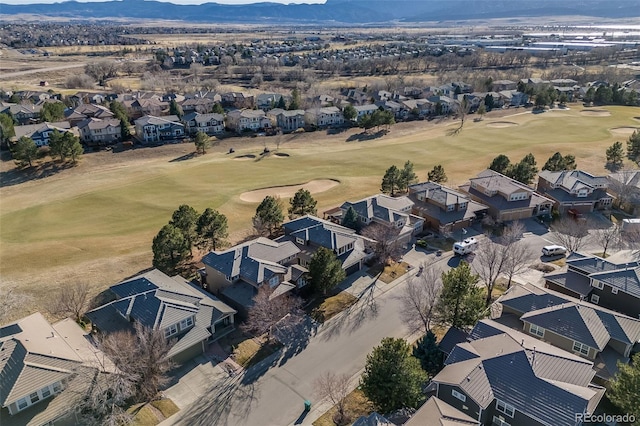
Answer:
(337, 11)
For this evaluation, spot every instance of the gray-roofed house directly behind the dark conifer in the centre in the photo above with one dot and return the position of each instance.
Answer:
(309, 233)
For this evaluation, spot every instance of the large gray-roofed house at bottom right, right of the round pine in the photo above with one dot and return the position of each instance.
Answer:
(501, 376)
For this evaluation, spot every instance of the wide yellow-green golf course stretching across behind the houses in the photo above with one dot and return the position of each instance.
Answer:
(95, 222)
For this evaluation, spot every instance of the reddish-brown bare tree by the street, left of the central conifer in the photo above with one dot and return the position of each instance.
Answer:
(267, 310)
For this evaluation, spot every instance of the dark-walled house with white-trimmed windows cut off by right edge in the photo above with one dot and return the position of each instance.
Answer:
(611, 285)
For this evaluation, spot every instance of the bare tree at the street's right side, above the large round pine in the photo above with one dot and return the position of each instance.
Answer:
(419, 298)
